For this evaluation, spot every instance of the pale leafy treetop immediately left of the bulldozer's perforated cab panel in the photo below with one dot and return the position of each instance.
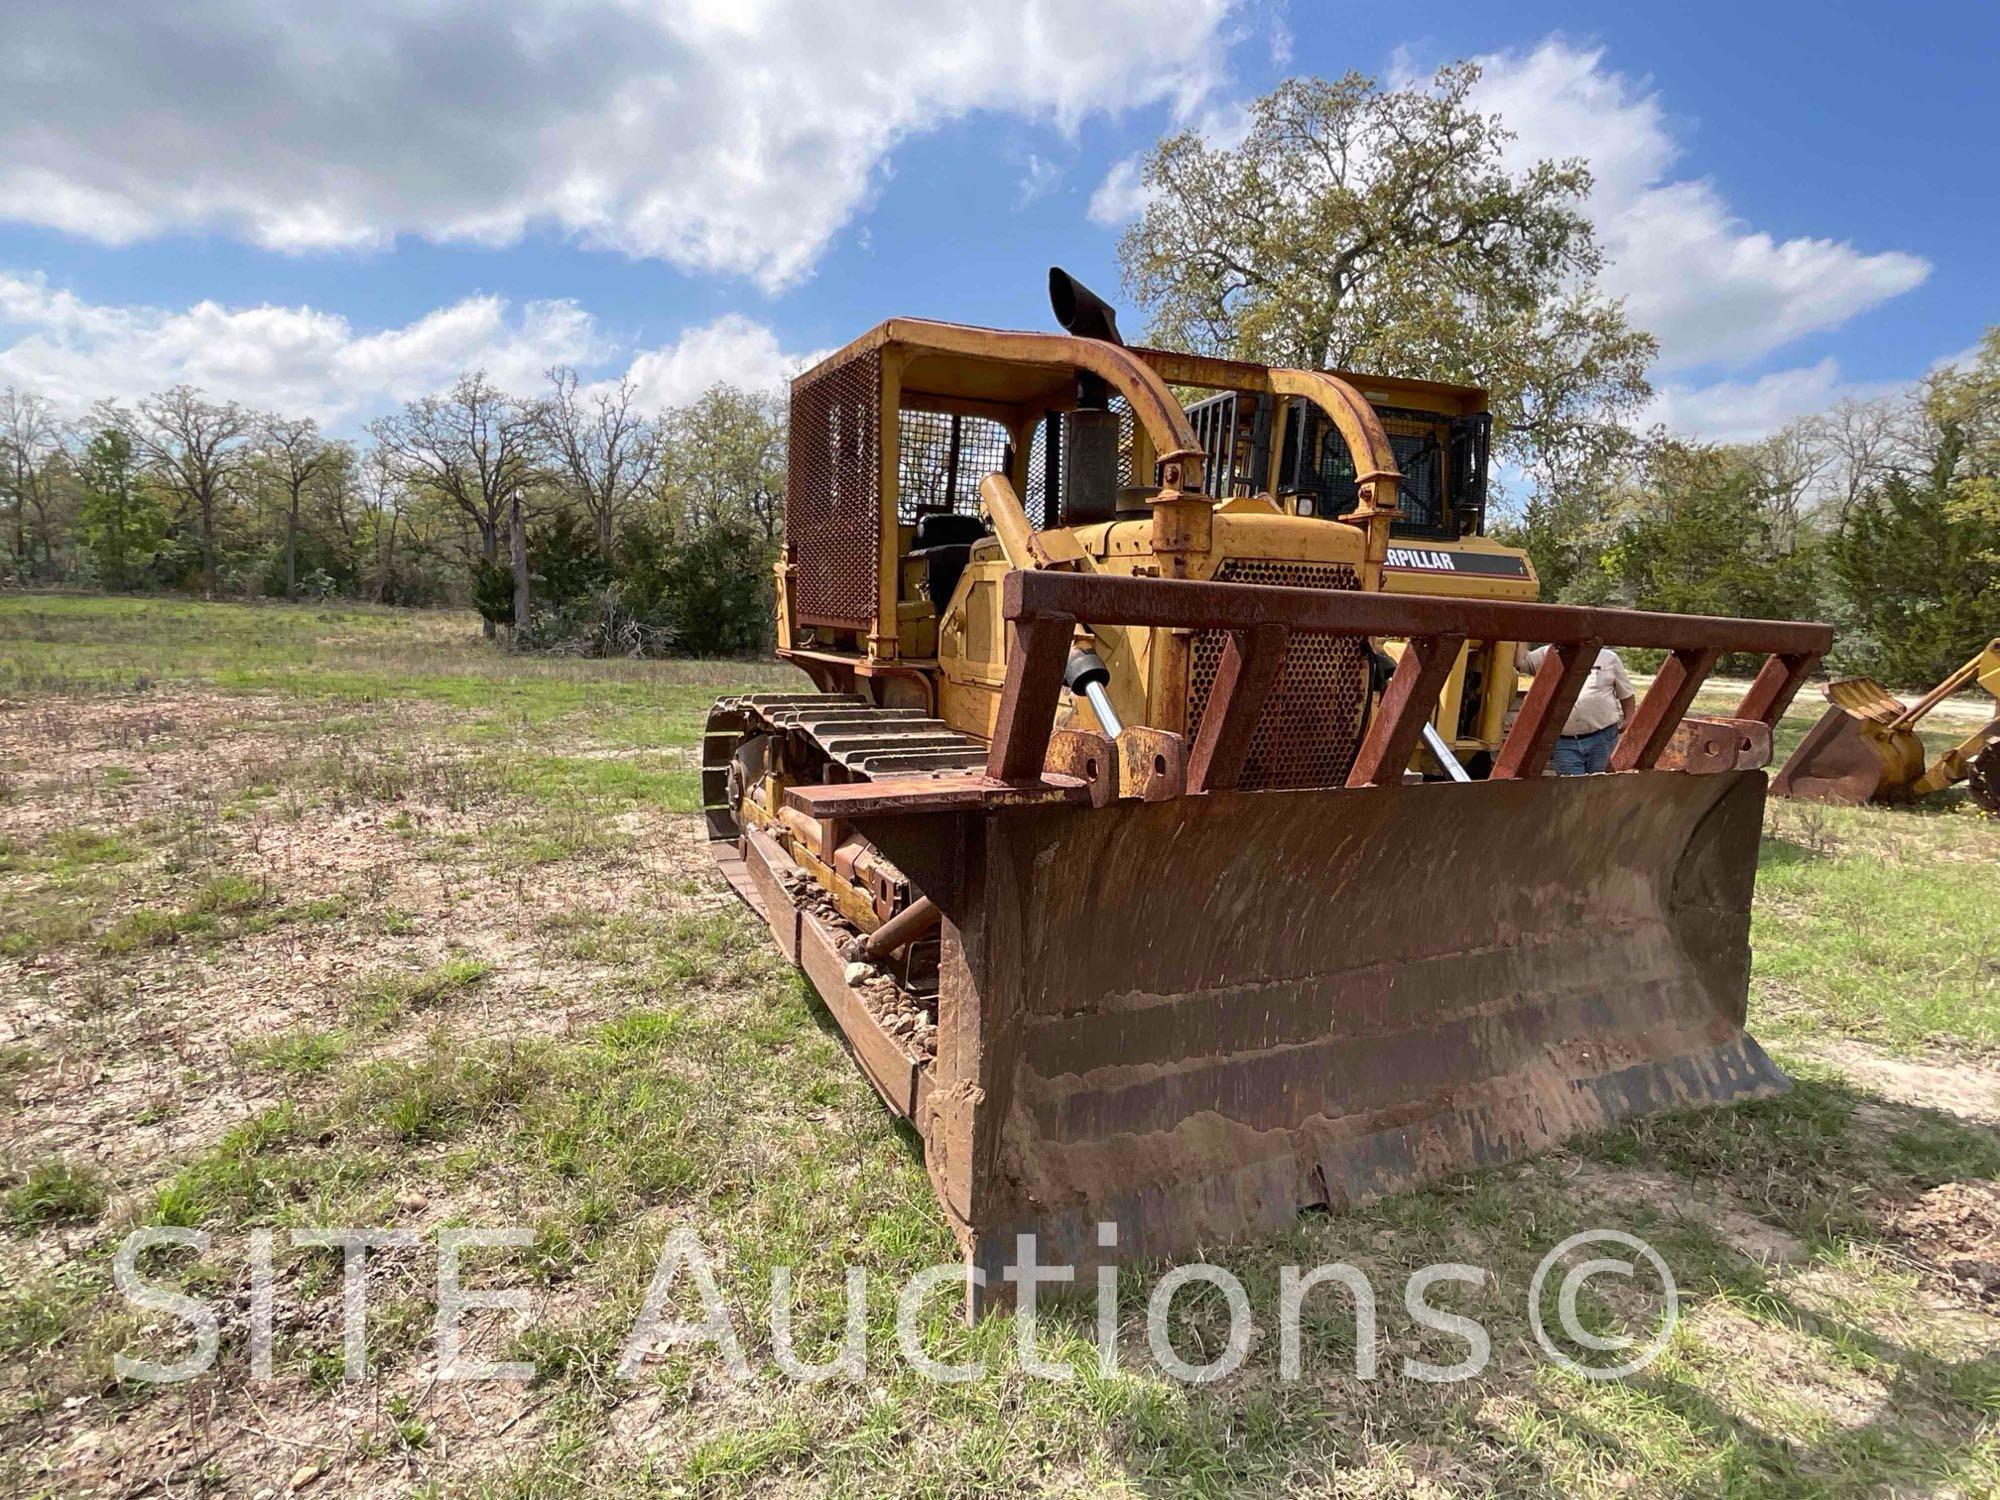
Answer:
(725, 461)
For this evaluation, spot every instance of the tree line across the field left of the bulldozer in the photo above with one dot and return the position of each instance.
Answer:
(573, 519)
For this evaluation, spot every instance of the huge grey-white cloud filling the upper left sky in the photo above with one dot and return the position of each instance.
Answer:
(719, 135)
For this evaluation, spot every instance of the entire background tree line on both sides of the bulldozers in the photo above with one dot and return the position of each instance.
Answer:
(575, 521)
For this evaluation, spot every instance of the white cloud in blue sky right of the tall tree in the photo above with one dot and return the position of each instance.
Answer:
(1711, 287)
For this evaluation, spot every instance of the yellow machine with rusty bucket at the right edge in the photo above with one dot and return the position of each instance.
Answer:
(1867, 749)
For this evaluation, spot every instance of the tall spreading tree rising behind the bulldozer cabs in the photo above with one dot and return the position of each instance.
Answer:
(1383, 231)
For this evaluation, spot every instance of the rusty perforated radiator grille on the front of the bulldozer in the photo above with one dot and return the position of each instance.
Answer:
(1313, 719)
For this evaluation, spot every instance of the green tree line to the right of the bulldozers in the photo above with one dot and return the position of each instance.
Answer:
(1877, 515)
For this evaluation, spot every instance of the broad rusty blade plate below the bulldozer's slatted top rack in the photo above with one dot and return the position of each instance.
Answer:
(1197, 1019)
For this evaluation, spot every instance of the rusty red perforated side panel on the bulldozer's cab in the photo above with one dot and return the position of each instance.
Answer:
(833, 493)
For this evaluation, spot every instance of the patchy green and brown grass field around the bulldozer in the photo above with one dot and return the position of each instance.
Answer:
(343, 919)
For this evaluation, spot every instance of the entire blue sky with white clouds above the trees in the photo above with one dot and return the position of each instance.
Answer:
(333, 213)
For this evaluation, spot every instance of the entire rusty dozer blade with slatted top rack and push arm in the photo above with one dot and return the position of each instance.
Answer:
(1193, 1013)
